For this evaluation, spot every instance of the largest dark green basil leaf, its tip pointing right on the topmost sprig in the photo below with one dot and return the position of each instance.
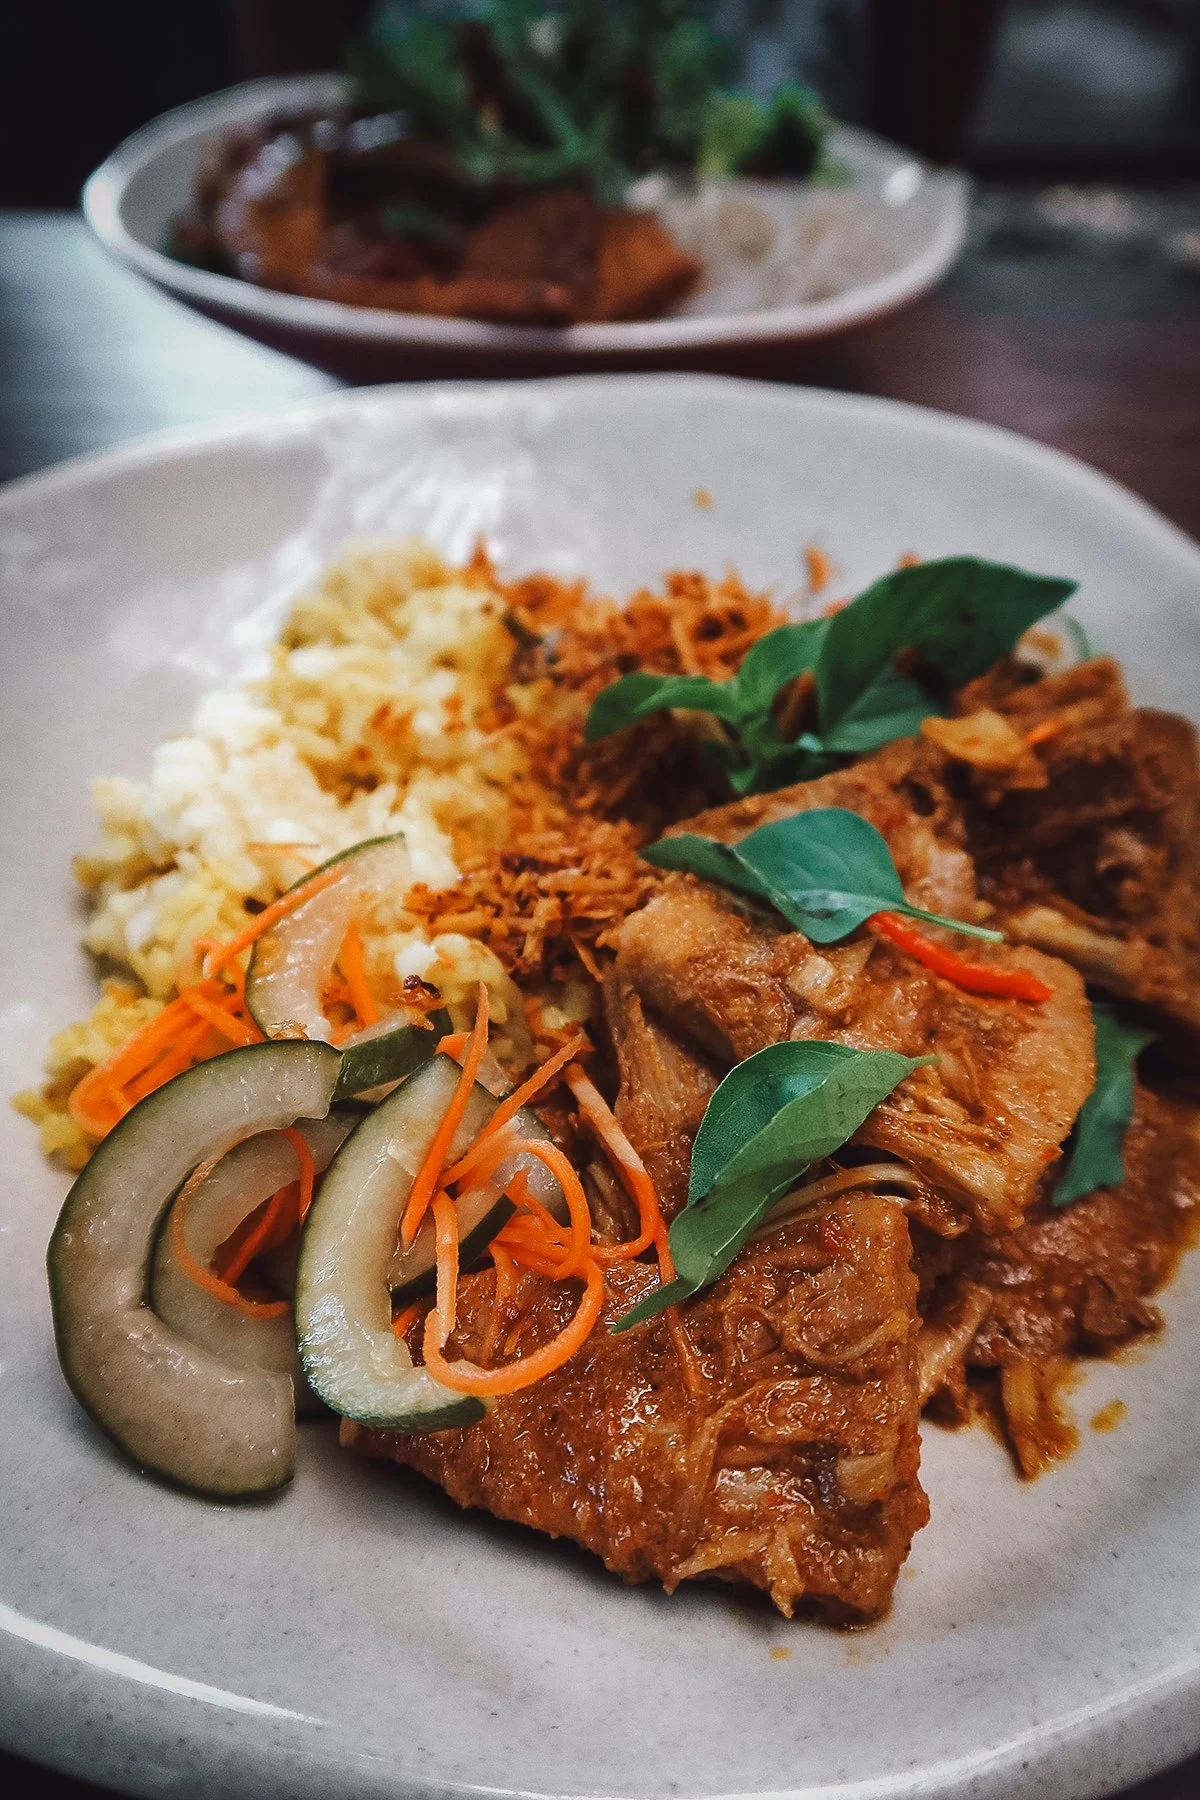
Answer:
(960, 615)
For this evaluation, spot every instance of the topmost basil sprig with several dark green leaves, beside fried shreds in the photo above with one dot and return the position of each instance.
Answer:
(953, 620)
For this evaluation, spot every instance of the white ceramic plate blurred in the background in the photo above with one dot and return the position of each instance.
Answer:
(891, 235)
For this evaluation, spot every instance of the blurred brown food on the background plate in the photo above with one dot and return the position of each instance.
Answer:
(337, 211)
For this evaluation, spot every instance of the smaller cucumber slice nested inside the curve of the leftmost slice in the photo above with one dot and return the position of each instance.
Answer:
(217, 1207)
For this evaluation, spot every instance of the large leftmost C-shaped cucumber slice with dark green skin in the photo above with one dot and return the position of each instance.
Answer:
(170, 1405)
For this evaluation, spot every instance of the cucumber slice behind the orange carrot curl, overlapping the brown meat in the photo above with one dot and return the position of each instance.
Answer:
(343, 1304)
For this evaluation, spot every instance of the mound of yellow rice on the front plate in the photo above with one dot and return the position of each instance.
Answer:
(370, 721)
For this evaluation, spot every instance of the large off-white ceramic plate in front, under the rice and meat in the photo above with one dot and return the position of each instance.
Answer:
(361, 1637)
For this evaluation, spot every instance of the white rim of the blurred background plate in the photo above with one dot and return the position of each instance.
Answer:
(375, 327)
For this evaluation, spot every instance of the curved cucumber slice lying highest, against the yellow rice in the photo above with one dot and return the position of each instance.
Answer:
(292, 964)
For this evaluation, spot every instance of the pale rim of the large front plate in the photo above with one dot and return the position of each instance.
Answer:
(992, 1774)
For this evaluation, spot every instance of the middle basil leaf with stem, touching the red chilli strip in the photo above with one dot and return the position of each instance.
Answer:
(825, 870)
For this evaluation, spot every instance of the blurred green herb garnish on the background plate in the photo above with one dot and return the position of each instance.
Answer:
(595, 91)
